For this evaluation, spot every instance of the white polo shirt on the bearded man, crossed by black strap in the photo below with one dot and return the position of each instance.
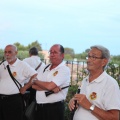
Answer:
(20, 70)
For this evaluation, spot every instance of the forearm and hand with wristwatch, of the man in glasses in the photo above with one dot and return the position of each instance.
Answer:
(99, 113)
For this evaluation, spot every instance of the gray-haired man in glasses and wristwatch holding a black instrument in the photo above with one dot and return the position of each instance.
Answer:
(99, 98)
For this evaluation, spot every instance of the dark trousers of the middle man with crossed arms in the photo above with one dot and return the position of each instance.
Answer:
(54, 111)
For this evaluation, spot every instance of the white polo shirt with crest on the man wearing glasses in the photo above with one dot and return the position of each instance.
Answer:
(103, 92)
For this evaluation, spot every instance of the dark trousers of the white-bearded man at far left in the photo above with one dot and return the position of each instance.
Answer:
(11, 107)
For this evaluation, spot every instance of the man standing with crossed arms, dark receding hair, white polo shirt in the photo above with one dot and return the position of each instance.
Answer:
(55, 76)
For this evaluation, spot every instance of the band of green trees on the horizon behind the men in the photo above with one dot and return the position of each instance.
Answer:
(69, 52)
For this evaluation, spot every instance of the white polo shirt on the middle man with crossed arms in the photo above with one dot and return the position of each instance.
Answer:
(61, 77)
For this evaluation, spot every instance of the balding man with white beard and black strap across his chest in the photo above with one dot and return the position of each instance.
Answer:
(11, 102)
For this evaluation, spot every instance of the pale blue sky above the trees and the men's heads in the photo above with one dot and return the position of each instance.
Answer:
(76, 24)
